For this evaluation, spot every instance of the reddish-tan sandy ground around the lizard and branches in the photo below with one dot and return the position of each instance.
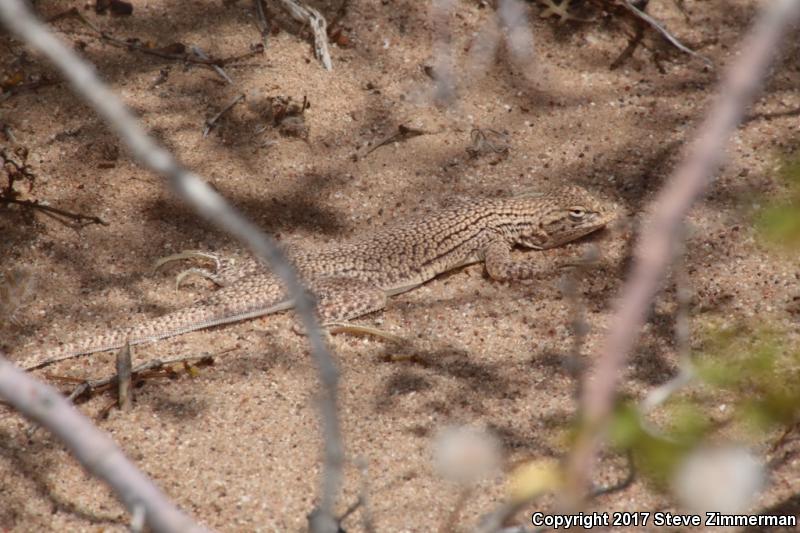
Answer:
(237, 446)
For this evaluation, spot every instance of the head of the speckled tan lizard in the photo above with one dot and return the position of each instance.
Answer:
(562, 215)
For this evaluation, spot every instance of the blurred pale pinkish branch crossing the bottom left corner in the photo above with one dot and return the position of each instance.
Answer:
(93, 448)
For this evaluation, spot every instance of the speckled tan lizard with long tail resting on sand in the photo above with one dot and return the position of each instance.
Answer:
(356, 278)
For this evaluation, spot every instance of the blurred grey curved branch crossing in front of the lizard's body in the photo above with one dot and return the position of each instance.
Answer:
(207, 203)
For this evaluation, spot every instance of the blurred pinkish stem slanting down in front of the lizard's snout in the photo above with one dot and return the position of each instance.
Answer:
(656, 248)
